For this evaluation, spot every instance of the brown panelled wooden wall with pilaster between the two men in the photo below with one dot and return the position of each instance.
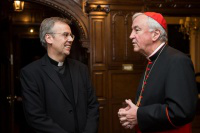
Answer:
(110, 49)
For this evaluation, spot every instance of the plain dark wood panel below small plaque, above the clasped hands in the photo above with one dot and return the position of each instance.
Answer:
(123, 84)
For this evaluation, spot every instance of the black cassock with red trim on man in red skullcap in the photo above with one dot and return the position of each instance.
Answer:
(170, 94)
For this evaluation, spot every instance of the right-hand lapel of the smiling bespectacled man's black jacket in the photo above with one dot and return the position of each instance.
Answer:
(74, 75)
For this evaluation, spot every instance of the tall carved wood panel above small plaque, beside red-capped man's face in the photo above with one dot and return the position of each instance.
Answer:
(121, 49)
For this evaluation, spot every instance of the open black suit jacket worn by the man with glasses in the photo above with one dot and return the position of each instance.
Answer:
(47, 106)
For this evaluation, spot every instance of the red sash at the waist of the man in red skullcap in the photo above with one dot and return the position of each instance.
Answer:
(184, 129)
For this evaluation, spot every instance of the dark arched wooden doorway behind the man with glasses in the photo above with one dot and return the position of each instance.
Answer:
(20, 47)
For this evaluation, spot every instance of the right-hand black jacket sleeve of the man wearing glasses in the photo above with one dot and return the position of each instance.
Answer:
(93, 107)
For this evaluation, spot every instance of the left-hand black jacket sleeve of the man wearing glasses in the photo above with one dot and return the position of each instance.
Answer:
(34, 108)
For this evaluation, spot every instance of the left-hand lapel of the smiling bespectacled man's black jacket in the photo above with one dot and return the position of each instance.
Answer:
(46, 65)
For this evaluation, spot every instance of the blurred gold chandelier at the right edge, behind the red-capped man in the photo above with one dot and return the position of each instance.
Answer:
(187, 25)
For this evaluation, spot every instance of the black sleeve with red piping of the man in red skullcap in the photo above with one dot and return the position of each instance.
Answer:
(180, 99)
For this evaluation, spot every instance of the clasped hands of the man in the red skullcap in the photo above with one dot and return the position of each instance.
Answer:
(128, 115)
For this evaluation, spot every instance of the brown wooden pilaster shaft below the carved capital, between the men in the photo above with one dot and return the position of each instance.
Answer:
(98, 64)
